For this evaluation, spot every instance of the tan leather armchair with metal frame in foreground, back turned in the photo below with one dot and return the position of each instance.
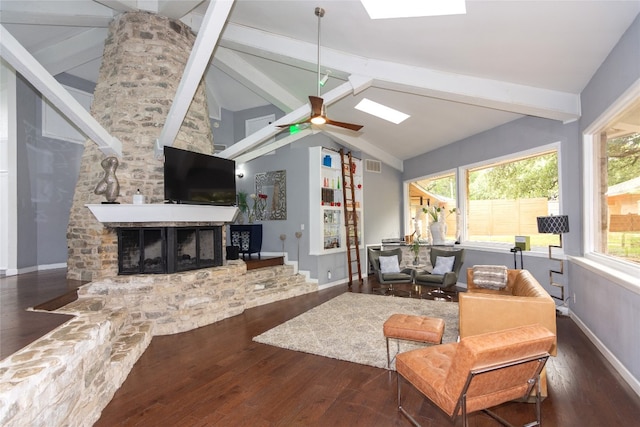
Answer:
(478, 372)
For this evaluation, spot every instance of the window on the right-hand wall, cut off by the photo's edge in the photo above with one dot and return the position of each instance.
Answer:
(616, 154)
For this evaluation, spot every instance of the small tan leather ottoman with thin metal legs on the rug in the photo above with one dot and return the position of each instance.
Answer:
(412, 328)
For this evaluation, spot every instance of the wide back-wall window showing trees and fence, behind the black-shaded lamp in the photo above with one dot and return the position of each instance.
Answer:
(505, 197)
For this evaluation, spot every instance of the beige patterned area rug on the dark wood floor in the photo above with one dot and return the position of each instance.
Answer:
(349, 327)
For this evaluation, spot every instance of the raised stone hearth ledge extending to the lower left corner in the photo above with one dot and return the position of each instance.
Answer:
(69, 376)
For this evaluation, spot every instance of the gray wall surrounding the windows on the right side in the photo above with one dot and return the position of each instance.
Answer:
(609, 310)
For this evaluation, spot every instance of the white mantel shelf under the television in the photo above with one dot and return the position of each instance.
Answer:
(159, 213)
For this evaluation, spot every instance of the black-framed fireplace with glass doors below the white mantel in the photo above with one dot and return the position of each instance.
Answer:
(164, 250)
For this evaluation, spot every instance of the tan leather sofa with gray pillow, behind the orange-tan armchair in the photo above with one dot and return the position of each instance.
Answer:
(523, 301)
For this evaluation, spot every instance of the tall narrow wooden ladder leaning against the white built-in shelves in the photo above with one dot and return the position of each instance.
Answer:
(350, 215)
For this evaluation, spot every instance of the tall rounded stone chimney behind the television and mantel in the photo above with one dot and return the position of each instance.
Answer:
(144, 58)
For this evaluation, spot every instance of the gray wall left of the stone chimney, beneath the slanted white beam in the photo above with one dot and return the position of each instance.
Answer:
(47, 174)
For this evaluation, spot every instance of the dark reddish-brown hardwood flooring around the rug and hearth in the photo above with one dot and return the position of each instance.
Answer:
(217, 376)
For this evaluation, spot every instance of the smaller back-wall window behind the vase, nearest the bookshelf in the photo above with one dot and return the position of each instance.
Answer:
(434, 192)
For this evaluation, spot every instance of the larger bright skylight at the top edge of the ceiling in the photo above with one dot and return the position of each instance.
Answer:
(382, 9)
